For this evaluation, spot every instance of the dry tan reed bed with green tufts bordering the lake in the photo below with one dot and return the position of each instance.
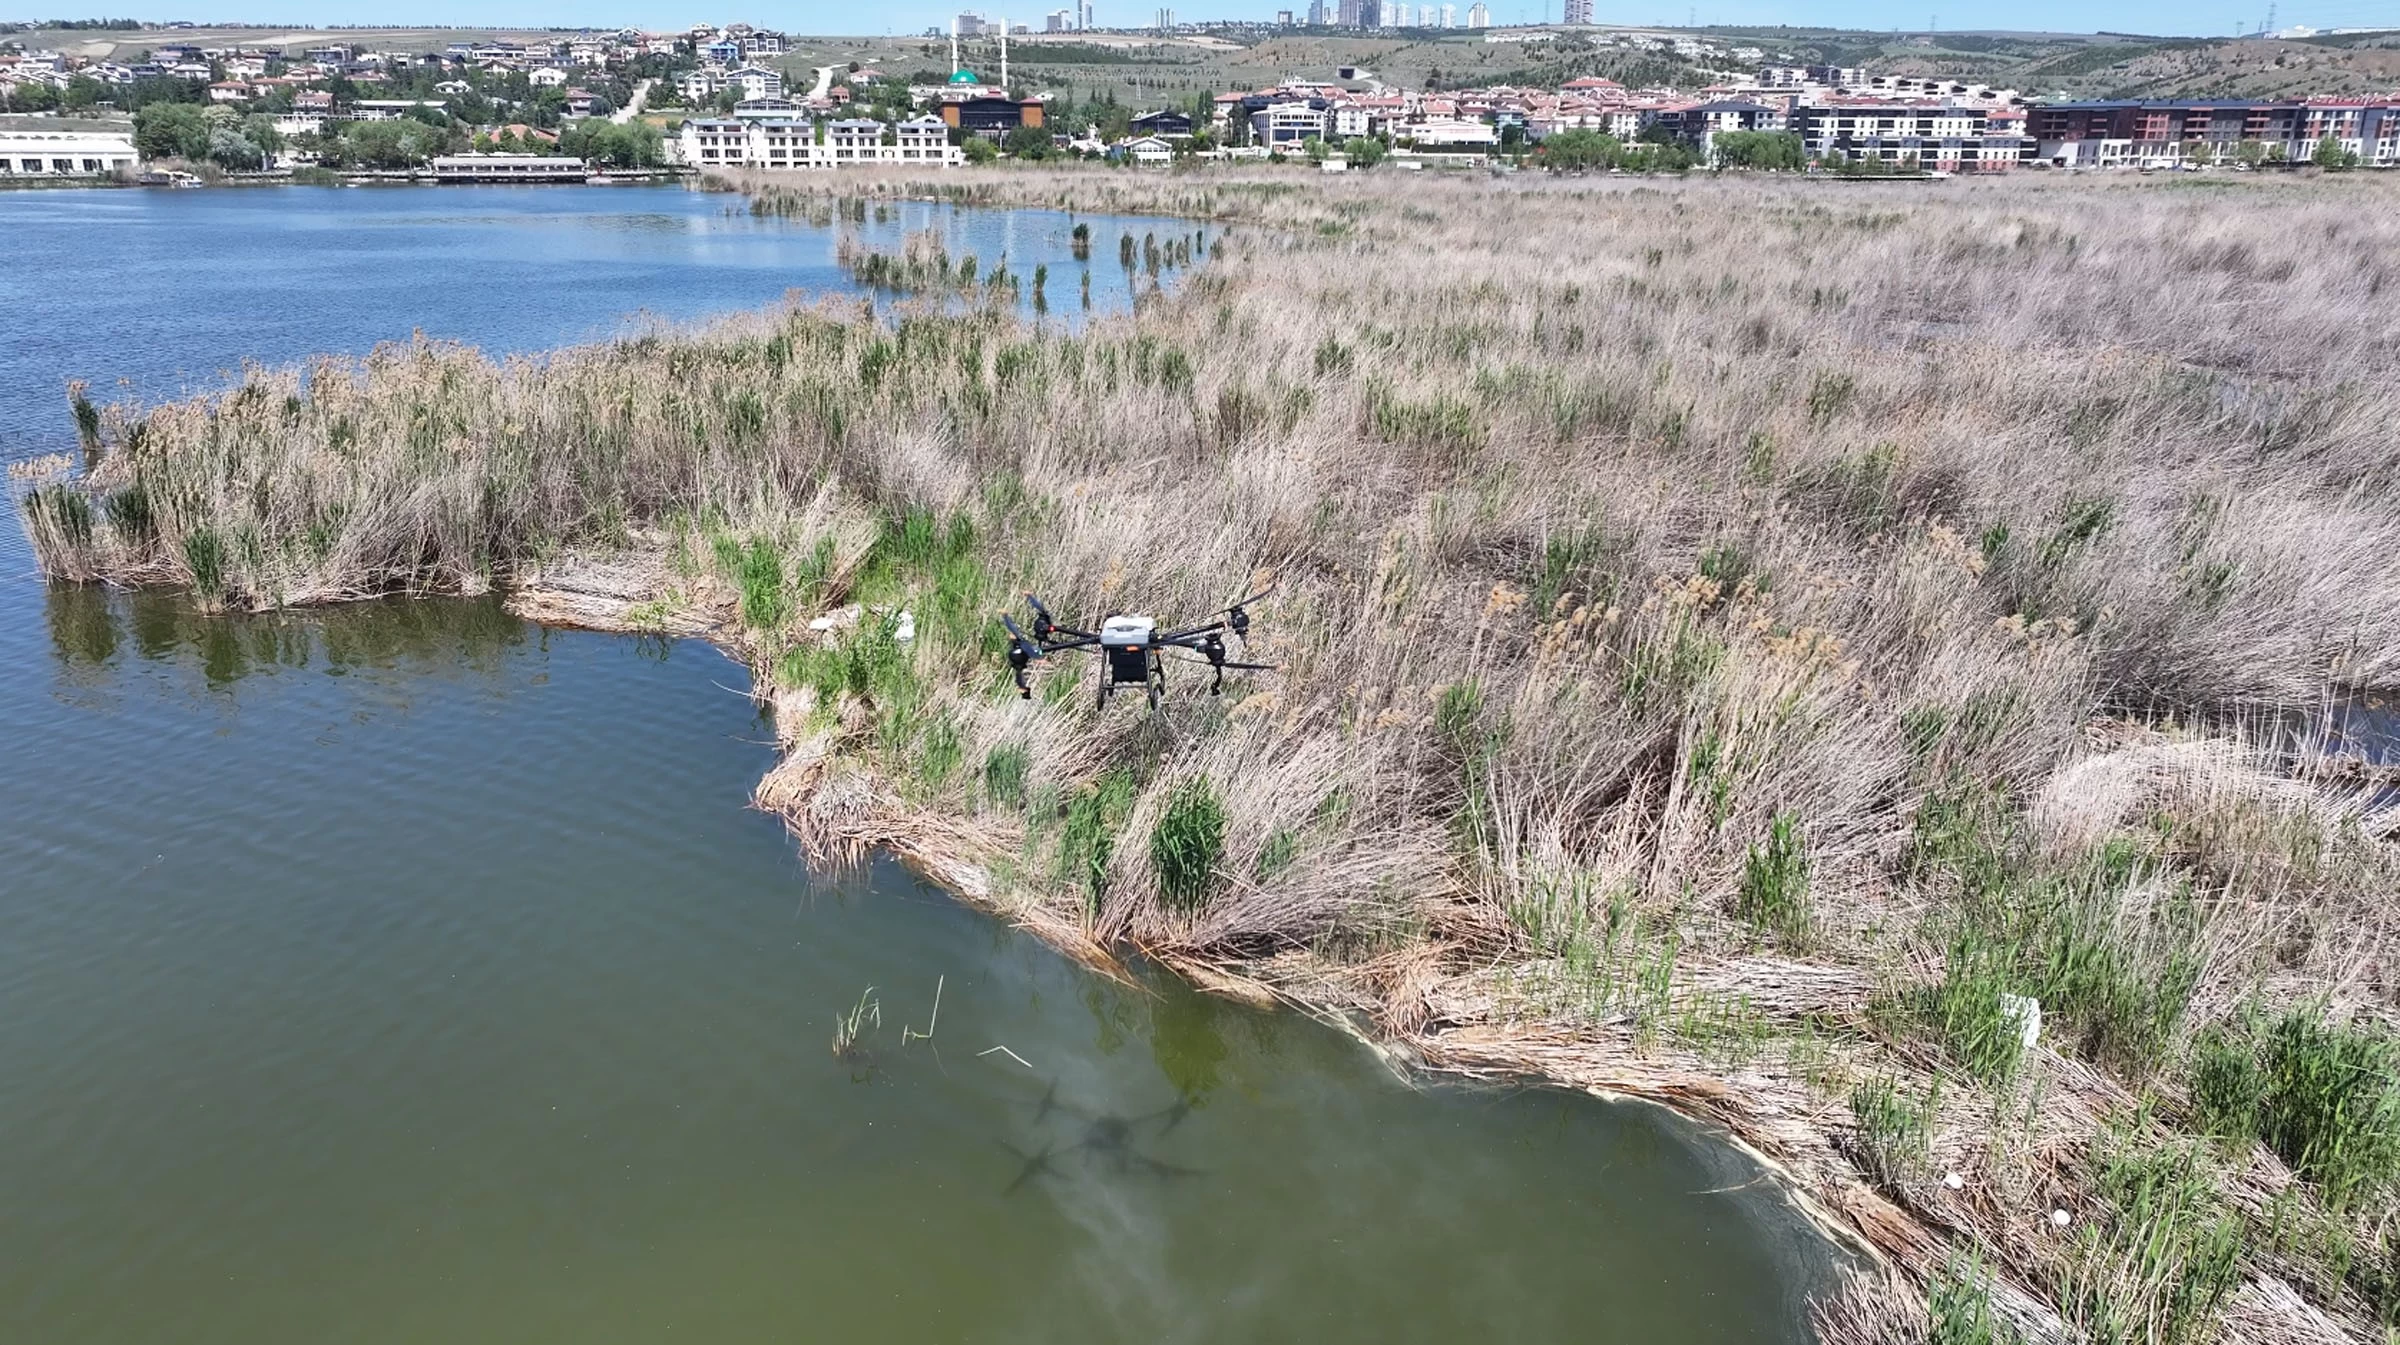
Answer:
(1732, 635)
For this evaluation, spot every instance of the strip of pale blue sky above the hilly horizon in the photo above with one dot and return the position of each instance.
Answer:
(820, 18)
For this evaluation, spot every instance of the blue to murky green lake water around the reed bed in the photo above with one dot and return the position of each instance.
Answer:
(414, 974)
